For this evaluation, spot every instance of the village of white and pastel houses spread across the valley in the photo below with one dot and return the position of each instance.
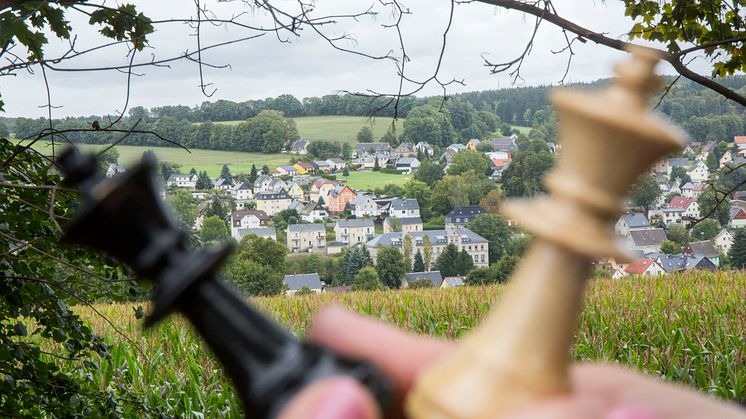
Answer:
(332, 216)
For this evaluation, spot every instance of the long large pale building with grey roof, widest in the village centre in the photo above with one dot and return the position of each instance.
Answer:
(475, 245)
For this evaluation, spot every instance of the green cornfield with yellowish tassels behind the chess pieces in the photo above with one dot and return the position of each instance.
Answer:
(688, 328)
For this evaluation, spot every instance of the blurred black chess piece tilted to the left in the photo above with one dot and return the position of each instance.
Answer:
(124, 217)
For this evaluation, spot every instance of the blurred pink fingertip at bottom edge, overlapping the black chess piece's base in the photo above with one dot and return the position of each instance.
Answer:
(333, 398)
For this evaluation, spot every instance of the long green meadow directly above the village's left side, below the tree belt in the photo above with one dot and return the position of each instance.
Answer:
(211, 161)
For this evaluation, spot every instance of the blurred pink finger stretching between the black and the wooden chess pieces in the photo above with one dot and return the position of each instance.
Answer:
(400, 356)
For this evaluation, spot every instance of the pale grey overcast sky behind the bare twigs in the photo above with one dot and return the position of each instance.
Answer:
(308, 65)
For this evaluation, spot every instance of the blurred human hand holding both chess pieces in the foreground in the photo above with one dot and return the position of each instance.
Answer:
(599, 391)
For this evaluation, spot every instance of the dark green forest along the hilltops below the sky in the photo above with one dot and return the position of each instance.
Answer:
(268, 125)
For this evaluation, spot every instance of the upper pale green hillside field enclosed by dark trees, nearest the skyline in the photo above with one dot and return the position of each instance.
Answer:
(338, 128)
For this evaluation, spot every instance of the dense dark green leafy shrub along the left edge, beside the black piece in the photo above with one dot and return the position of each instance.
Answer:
(39, 279)
